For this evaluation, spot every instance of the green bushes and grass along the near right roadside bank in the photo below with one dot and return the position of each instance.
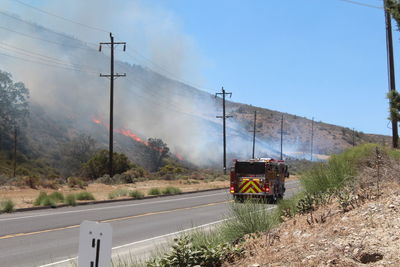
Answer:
(339, 180)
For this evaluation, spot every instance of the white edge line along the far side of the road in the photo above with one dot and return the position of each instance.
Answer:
(109, 207)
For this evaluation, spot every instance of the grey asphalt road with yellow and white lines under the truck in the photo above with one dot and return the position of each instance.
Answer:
(50, 237)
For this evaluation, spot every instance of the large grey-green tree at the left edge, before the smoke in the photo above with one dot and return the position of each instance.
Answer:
(14, 106)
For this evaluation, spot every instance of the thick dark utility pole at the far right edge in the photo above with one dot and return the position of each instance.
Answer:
(392, 83)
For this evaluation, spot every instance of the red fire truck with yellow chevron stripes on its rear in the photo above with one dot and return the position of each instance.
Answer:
(262, 178)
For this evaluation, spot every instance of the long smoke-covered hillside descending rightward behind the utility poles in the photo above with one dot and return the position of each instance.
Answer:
(66, 102)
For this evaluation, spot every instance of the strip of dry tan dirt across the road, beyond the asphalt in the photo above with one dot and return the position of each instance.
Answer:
(24, 197)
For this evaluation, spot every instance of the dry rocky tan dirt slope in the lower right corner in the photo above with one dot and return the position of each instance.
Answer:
(367, 234)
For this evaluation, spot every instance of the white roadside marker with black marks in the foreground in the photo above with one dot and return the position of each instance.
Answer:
(95, 243)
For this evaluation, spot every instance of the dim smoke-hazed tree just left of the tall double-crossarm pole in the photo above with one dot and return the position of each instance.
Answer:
(77, 152)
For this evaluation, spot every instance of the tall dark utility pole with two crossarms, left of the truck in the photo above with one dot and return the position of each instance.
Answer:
(112, 76)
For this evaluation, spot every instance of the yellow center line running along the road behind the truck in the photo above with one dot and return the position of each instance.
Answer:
(113, 220)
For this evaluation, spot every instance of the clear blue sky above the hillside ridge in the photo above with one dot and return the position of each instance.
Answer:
(314, 58)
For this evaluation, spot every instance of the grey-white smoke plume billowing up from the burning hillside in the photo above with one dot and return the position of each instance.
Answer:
(145, 102)
